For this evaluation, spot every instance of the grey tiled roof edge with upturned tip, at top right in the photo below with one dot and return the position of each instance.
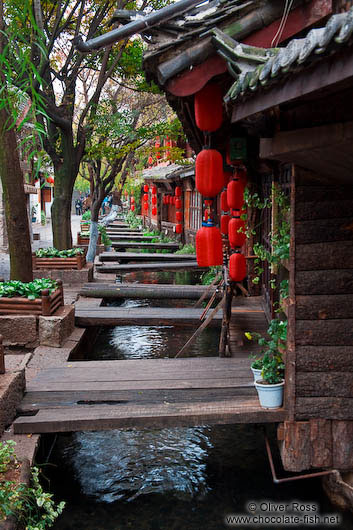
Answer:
(254, 67)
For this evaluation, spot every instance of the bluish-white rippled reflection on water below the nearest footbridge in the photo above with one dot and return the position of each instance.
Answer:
(122, 465)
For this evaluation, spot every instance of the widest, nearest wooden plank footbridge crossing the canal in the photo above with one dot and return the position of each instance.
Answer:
(153, 393)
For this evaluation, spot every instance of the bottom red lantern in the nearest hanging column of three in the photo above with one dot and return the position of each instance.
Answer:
(209, 246)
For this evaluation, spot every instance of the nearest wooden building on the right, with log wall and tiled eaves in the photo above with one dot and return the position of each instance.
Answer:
(292, 106)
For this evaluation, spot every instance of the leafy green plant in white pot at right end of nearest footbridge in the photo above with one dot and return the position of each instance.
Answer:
(271, 381)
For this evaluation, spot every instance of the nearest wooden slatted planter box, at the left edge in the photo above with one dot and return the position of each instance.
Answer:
(46, 305)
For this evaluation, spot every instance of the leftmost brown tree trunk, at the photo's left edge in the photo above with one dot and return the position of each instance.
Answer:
(14, 195)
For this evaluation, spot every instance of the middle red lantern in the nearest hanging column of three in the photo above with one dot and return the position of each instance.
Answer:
(209, 172)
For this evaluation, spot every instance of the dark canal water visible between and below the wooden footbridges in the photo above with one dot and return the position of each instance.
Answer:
(174, 478)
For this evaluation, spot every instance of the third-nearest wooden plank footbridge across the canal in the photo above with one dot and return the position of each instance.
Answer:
(138, 290)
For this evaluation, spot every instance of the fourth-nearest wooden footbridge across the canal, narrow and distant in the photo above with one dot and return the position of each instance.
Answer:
(186, 265)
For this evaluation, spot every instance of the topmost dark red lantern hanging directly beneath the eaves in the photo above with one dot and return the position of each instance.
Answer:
(209, 107)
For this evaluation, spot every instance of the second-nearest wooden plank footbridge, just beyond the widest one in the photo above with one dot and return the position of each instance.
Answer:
(140, 316)
